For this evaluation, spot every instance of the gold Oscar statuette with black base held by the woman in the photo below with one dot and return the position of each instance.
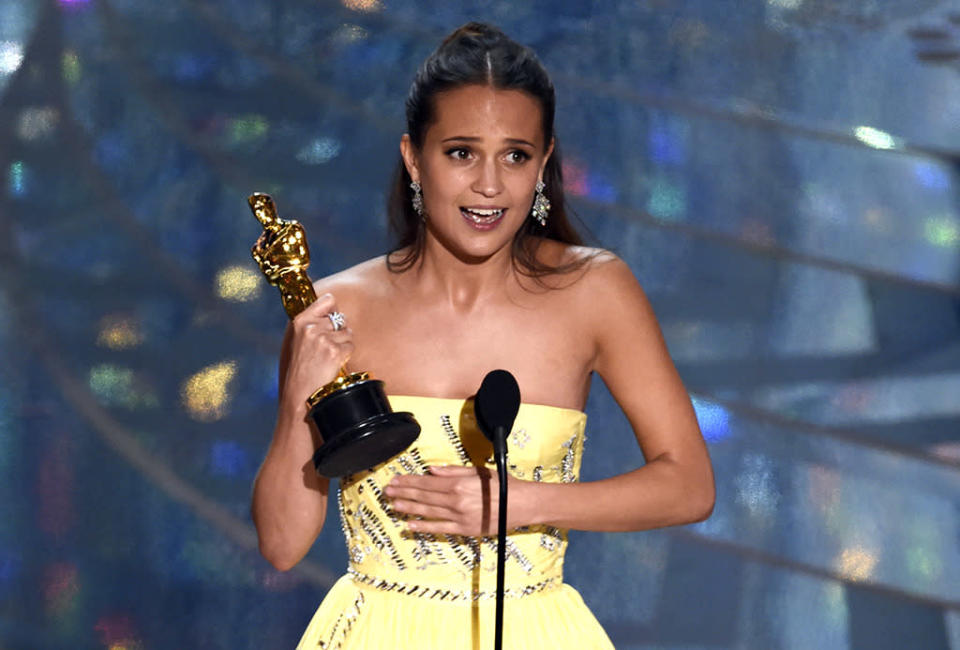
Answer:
(352, 412)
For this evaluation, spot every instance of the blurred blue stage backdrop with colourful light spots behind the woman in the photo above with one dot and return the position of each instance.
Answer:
(782, 175)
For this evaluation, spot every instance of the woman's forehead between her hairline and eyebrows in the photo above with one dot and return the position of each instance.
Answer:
(485, 112)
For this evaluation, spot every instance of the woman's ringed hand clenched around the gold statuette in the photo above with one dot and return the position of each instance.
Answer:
(315, 351)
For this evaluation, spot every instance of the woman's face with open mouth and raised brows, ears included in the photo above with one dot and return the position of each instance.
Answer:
(478, 167)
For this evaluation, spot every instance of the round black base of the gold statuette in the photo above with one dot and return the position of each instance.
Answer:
(359, 430)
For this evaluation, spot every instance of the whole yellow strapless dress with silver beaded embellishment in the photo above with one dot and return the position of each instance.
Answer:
(423, 591)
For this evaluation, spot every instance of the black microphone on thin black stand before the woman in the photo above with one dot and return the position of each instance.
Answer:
(496, 405)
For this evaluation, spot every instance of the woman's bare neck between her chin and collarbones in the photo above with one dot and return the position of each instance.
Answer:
(464, 283)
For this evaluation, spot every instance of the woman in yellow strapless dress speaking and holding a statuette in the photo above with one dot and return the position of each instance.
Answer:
(488, 274)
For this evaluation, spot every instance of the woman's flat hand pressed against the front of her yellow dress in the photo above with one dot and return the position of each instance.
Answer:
(451, 500)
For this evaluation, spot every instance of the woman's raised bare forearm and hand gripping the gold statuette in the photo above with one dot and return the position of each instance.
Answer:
(289, 501)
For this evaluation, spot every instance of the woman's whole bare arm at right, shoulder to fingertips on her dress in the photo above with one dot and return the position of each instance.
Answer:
(674, 487)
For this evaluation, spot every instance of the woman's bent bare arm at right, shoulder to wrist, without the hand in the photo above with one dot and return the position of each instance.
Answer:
(676, 485)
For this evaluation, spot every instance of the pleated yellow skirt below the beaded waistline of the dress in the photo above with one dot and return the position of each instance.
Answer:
(356, 616)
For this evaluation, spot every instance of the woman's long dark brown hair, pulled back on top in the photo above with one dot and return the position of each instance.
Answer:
(477, 53)
